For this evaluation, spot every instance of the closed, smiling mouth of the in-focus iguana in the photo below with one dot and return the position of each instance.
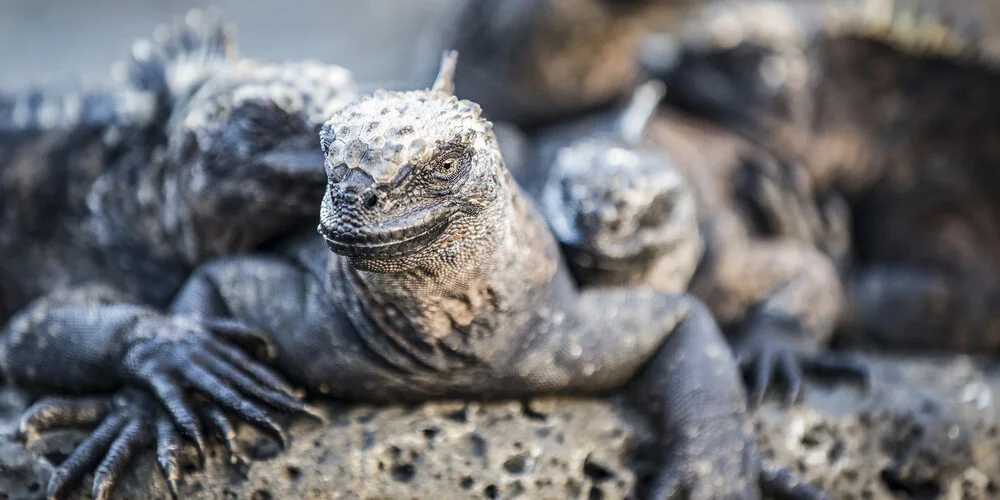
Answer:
(390, 242)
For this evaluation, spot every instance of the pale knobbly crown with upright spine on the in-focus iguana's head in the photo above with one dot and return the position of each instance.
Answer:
(388, 130)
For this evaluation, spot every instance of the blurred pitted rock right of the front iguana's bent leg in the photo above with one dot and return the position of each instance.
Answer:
(927, 429)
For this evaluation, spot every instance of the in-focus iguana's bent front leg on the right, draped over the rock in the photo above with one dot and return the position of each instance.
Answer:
(680, 371)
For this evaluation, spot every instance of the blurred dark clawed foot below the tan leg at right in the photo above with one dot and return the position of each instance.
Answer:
(764, 357)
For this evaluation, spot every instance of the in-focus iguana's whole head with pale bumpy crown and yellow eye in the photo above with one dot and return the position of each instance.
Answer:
(412, 177)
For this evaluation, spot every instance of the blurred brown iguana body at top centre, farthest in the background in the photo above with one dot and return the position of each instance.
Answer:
(534, 62)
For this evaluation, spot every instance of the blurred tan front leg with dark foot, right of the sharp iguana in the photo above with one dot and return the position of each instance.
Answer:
(786, 298)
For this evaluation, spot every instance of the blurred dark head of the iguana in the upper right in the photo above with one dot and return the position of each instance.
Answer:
(743, 65)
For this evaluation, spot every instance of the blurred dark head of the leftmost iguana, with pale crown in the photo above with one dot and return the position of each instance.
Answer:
(244, 149)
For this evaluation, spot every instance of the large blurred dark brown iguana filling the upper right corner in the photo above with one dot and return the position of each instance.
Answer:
(901, 119)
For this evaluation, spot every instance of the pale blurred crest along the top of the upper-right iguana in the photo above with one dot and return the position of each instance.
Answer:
(966, 30)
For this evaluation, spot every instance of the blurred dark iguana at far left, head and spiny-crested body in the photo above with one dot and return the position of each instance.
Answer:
(192, 154)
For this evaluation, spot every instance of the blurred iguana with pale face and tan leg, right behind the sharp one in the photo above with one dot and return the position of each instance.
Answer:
(672, 215)
